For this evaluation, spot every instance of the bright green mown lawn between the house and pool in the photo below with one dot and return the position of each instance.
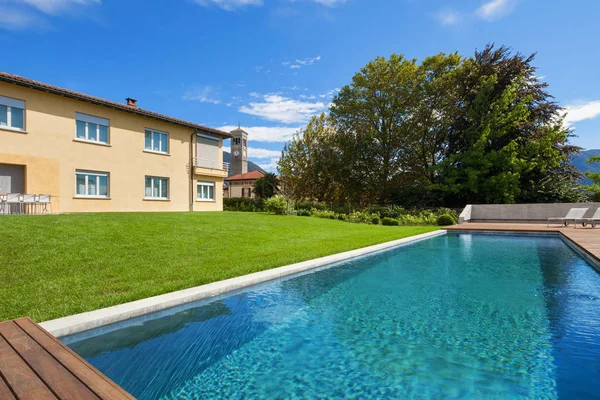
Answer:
(53, 266)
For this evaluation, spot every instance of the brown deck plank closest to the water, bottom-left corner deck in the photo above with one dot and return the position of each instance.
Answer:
(90, 376)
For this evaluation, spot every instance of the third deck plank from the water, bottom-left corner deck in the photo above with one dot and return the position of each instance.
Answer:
(23, 381)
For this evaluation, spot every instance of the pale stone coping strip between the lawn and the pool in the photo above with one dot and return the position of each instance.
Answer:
(78, 323)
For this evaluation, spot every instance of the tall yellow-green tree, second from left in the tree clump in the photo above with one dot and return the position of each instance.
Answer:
(371, 117)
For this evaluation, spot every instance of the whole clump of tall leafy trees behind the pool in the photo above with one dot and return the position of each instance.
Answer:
(448, 131)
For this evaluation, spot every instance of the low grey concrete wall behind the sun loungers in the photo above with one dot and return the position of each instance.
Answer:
(525, 213)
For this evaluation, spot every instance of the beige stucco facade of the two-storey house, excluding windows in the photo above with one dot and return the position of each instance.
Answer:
(51, 154)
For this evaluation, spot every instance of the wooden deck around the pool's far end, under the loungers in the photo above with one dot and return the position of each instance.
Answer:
(587, 239)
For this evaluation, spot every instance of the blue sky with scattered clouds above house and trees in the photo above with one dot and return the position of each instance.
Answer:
(271, 64)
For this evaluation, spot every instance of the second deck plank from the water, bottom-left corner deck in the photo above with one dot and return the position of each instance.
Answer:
(58, 379)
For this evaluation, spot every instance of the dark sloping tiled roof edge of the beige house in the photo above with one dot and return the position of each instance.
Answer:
(19, 80)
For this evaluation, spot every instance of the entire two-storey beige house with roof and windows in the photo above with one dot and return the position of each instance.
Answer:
(94, 155)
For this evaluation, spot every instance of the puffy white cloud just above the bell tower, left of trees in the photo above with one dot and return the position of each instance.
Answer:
(283, 109)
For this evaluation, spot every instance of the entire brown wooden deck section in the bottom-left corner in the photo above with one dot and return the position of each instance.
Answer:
(34, 365)
